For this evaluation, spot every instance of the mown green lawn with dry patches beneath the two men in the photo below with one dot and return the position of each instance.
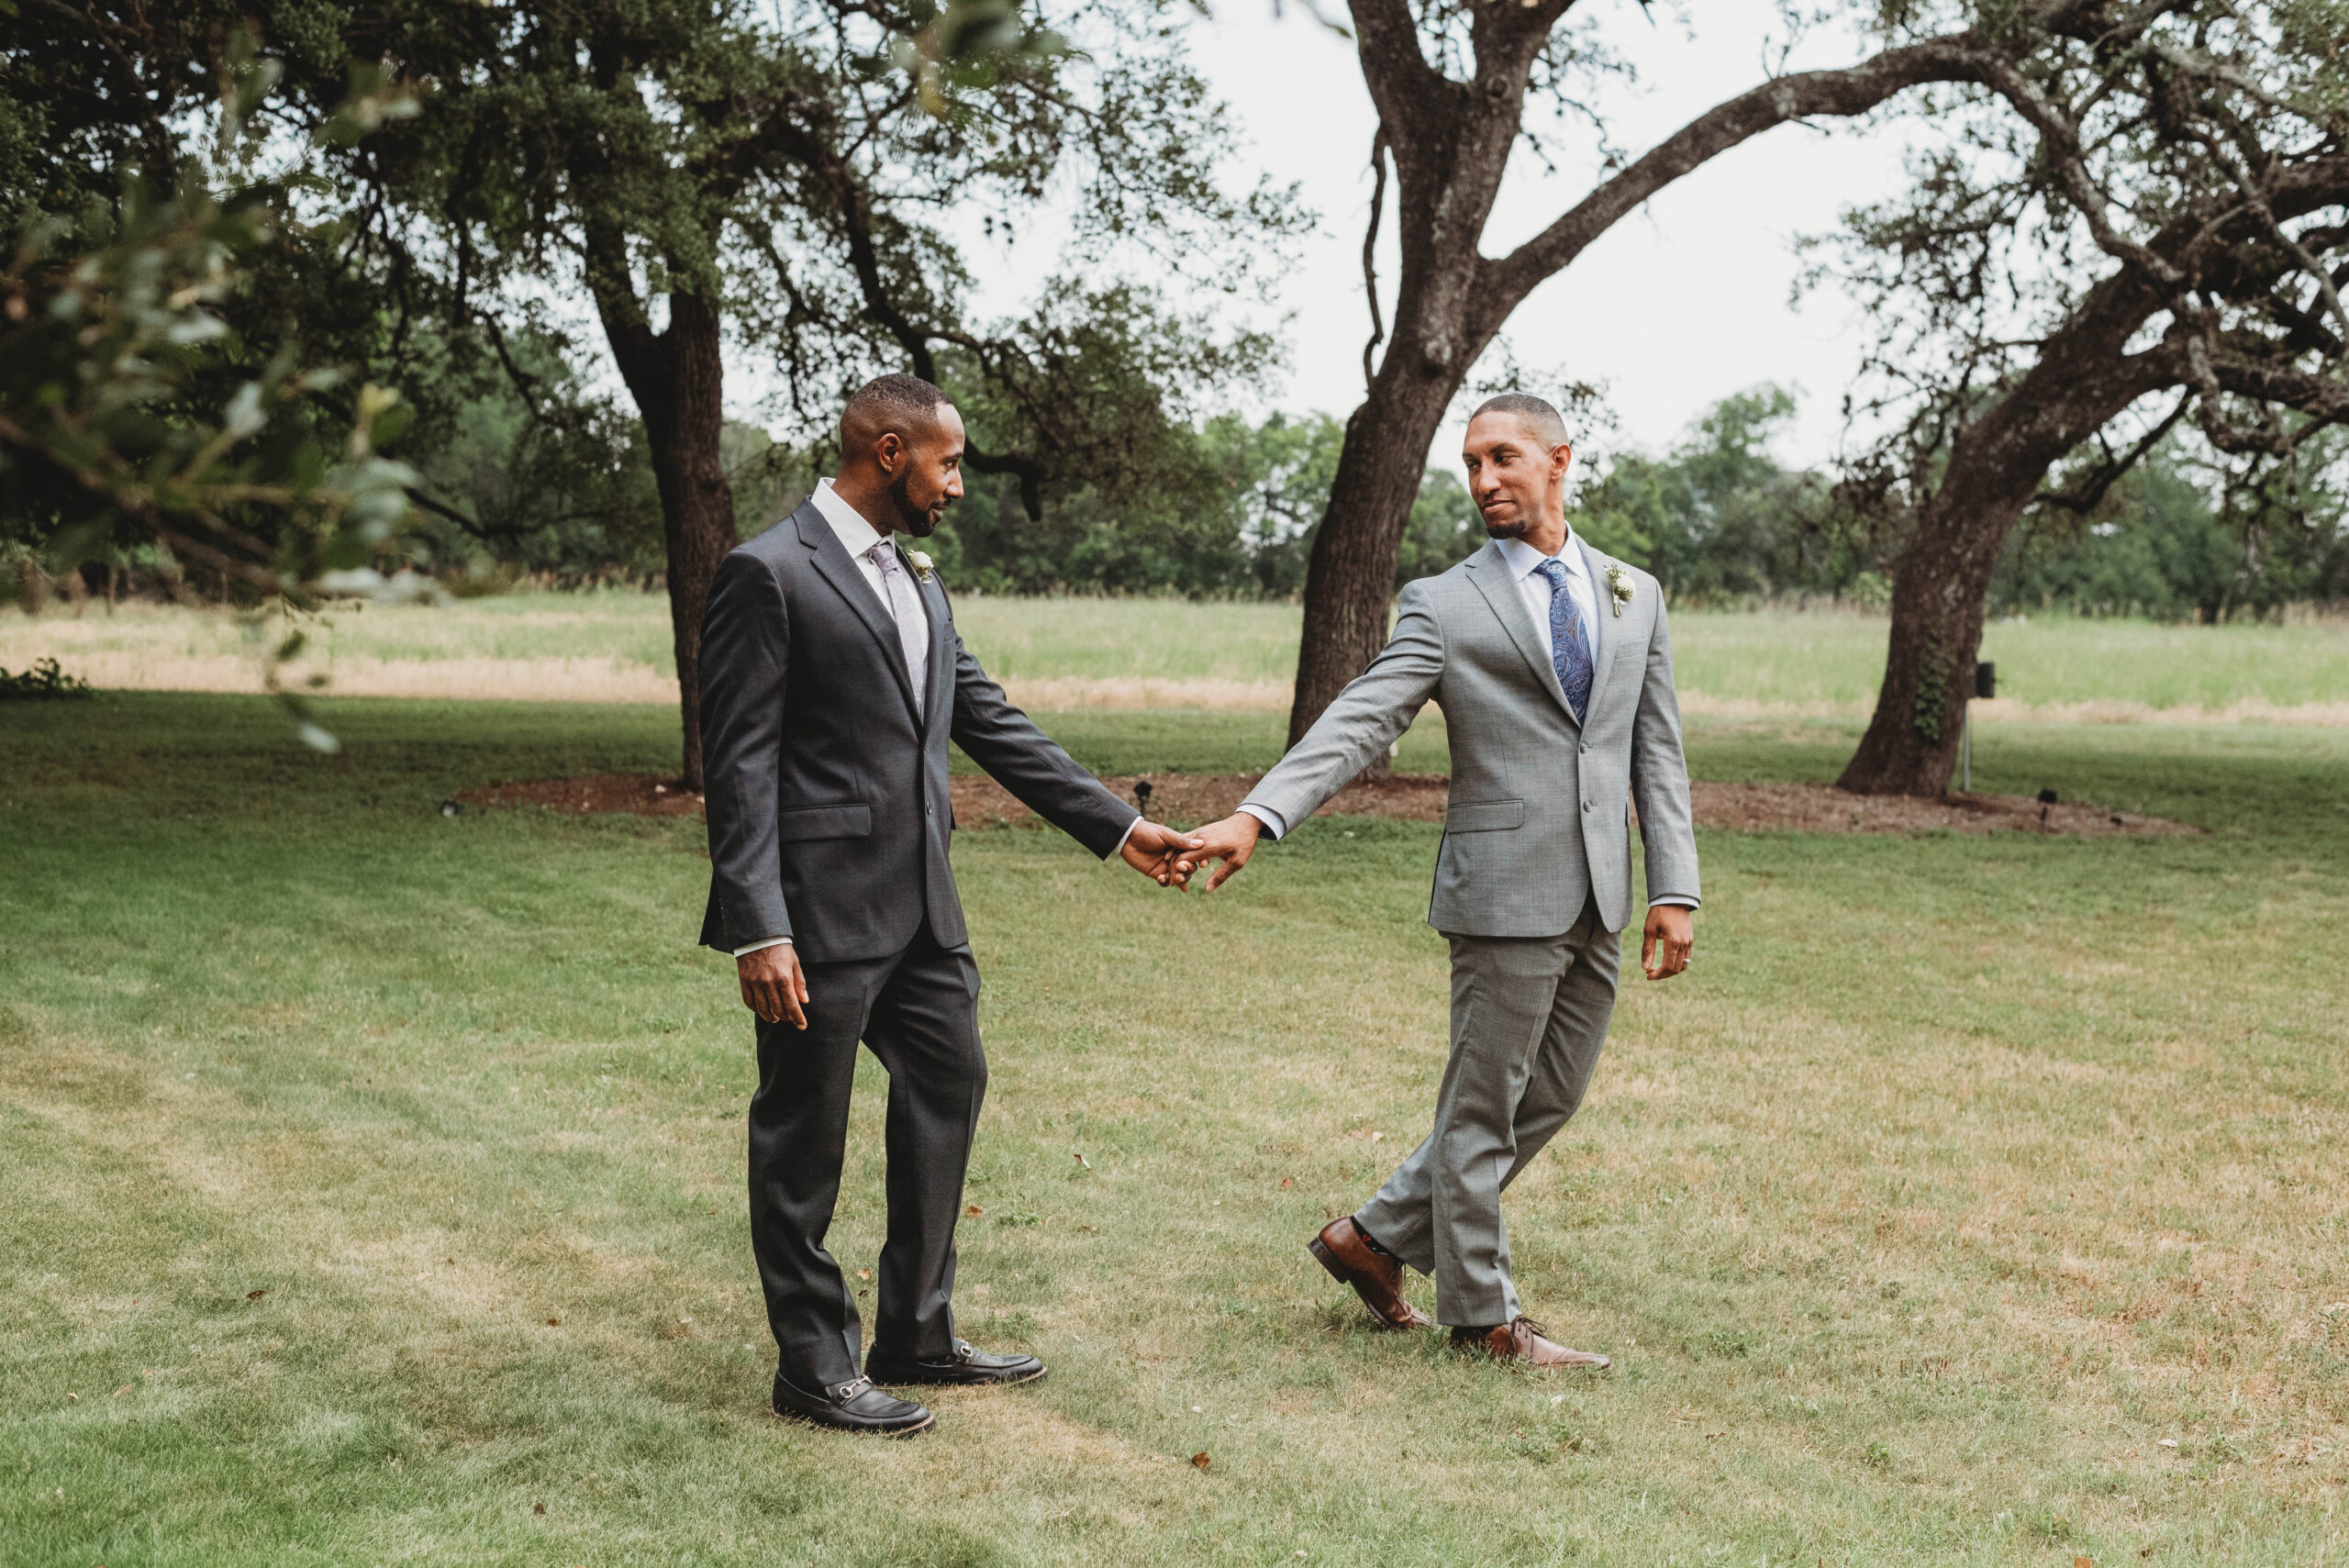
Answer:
(375, 1182)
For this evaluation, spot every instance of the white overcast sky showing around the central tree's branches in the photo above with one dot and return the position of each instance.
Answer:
(1676, 309)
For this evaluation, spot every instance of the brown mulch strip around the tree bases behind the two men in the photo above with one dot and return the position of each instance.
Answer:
(1206, 797)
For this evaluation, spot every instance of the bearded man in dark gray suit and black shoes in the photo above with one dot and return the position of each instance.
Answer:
(833, 680)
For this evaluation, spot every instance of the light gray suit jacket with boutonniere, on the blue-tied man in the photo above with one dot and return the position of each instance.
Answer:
(1540, 816)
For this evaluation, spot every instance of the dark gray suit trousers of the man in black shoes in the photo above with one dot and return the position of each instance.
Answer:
(920, 1013)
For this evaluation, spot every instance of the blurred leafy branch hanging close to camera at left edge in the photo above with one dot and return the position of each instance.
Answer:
(128, 398)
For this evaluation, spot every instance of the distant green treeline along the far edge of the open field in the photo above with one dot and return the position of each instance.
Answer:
(1716, 518)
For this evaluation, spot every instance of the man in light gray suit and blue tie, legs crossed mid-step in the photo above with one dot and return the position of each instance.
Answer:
(1556, 680)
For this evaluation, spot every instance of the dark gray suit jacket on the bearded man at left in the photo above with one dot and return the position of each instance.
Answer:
(828, 771)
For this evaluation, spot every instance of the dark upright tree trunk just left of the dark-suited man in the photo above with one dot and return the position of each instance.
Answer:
(680, 386)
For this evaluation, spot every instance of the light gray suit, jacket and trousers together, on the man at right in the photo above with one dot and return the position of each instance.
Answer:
(1533, 881)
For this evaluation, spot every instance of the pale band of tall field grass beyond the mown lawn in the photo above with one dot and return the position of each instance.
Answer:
(1826, 658)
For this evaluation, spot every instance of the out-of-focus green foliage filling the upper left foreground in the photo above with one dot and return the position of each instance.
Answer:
(135, 410)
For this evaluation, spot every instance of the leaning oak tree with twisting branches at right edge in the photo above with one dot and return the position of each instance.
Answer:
(2134, 229)
